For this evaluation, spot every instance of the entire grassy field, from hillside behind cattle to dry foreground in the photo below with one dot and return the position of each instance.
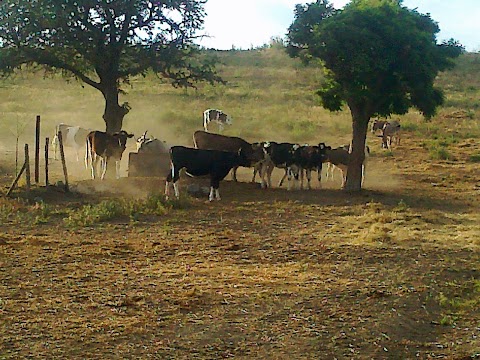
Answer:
(113, 270)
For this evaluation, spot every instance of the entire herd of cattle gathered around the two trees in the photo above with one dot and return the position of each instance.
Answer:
(215, 155)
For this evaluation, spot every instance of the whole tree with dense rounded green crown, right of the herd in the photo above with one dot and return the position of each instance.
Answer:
(380, 58)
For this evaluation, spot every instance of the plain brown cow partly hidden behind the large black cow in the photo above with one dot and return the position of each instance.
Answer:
(209, 141)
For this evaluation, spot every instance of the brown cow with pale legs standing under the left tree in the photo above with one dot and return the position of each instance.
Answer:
(101, 145)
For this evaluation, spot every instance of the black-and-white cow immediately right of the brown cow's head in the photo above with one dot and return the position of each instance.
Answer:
(280, 155)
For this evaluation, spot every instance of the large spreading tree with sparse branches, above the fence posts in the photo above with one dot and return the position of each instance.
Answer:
(103, 43)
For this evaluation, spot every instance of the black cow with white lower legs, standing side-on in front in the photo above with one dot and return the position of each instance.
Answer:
(200, 162)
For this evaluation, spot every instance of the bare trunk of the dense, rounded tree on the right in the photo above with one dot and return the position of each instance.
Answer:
(354, 174)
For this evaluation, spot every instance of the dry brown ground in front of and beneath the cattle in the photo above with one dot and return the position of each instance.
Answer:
(390, 273)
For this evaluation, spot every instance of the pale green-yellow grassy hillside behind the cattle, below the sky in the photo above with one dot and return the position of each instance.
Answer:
(269, 96)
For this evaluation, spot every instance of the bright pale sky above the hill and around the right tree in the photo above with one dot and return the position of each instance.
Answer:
(245, 24)
